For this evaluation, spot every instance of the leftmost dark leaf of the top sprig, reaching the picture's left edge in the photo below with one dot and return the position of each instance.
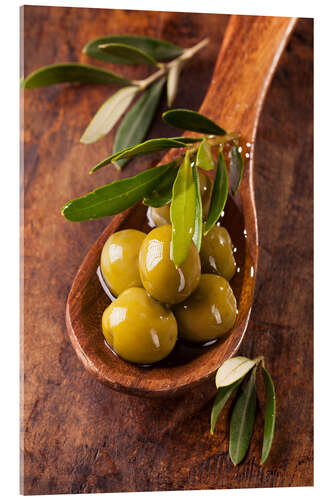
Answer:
(72, 72)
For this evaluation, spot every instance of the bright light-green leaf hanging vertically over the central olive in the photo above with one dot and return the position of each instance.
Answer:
(182, 211)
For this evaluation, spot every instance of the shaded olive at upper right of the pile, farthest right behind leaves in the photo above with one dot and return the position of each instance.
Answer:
(216, 253)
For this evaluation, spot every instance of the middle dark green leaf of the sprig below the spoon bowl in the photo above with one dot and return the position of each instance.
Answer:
(242, 421)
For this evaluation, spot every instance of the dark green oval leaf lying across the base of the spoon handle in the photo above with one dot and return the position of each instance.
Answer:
(187, 119)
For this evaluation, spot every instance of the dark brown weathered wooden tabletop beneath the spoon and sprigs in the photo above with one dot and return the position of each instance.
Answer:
(79, 436)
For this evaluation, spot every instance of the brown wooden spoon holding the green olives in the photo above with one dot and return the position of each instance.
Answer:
(248, 56)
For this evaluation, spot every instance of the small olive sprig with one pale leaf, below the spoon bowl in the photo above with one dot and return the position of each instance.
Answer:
(229, 378)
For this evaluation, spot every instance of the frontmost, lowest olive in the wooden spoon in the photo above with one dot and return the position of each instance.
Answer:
(138, 328)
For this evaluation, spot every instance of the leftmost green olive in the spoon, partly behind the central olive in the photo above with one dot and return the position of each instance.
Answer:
(119, 260)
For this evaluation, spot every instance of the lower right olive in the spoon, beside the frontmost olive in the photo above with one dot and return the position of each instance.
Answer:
(209, 312)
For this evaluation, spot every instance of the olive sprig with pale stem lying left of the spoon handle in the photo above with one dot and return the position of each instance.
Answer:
(167, 58)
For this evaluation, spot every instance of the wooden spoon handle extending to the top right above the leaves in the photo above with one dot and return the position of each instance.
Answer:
(248, 57)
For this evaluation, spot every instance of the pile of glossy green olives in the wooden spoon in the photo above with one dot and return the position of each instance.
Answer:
(156, 302)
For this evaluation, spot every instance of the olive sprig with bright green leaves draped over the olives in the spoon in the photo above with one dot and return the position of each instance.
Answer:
(176, 182)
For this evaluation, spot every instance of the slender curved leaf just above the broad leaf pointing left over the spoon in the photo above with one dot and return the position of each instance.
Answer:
(150, 146)
